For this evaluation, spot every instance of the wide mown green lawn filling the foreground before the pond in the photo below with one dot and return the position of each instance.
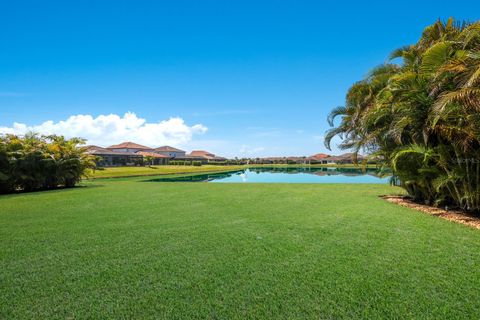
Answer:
(126, 248)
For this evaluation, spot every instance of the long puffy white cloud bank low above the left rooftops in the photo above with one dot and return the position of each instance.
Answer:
(111, 129)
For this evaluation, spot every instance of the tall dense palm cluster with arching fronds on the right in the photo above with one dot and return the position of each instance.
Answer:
(422, 116)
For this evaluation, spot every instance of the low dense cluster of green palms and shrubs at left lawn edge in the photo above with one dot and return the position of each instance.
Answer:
(34, 162)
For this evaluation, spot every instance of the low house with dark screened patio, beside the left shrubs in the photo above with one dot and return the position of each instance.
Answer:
(112, 158)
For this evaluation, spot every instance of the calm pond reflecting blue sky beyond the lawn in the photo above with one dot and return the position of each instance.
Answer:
(285, 175)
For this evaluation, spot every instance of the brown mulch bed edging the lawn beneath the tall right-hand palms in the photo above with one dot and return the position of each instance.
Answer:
(451, 215)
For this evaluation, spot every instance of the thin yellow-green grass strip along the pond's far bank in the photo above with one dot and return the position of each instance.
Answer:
(114, 172)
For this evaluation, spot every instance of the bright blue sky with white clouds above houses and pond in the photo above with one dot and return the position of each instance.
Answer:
(258, 78)
